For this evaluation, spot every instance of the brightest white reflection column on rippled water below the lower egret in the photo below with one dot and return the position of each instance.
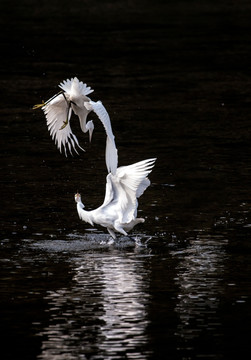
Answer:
(124, 306)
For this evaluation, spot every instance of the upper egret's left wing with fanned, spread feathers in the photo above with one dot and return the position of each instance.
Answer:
(58, 112)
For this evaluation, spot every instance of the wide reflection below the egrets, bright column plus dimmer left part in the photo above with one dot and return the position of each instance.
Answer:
(102, 312)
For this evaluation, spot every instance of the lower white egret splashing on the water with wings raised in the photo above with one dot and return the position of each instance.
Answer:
(119, 209)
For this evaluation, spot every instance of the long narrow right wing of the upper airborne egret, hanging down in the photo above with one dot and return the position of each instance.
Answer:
(111, 153)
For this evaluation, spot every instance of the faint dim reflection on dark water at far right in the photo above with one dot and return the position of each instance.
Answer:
(199, 277)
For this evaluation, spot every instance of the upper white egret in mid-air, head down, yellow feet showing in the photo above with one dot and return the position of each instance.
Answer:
(58, 111)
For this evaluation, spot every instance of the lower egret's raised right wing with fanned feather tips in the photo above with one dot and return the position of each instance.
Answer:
(130, 182)
